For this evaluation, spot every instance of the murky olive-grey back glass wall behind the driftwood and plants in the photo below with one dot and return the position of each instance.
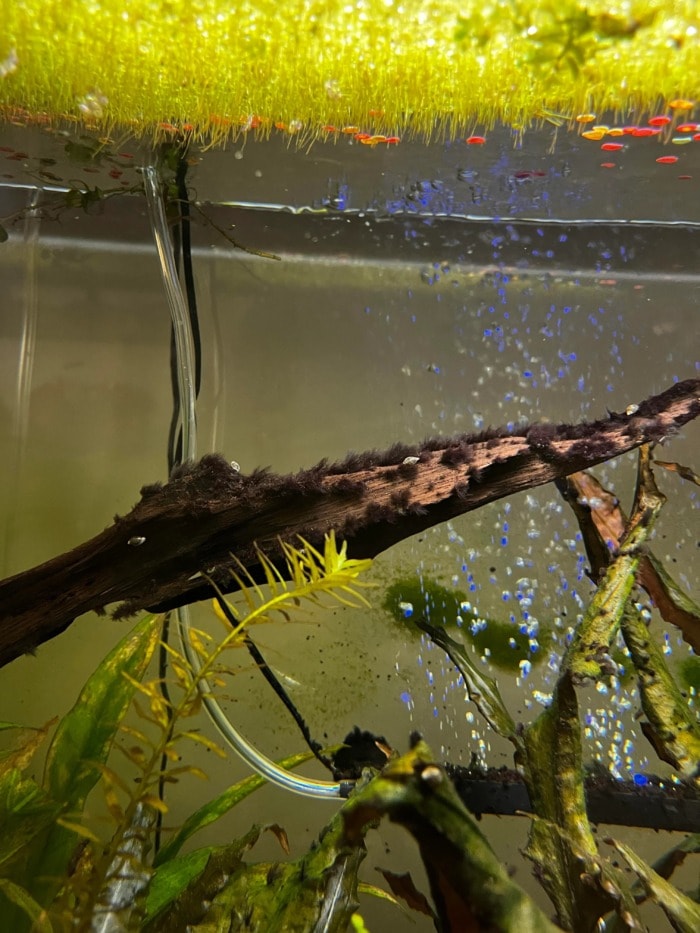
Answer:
(349, 297)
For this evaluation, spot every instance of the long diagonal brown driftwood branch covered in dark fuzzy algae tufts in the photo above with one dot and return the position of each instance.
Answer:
(151, 558)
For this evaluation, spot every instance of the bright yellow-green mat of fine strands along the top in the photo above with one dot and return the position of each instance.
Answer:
(388, 68)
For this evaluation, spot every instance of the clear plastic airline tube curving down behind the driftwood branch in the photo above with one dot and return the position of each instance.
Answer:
(184, 347)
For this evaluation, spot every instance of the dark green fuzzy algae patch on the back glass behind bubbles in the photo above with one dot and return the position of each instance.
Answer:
(414, 597)
